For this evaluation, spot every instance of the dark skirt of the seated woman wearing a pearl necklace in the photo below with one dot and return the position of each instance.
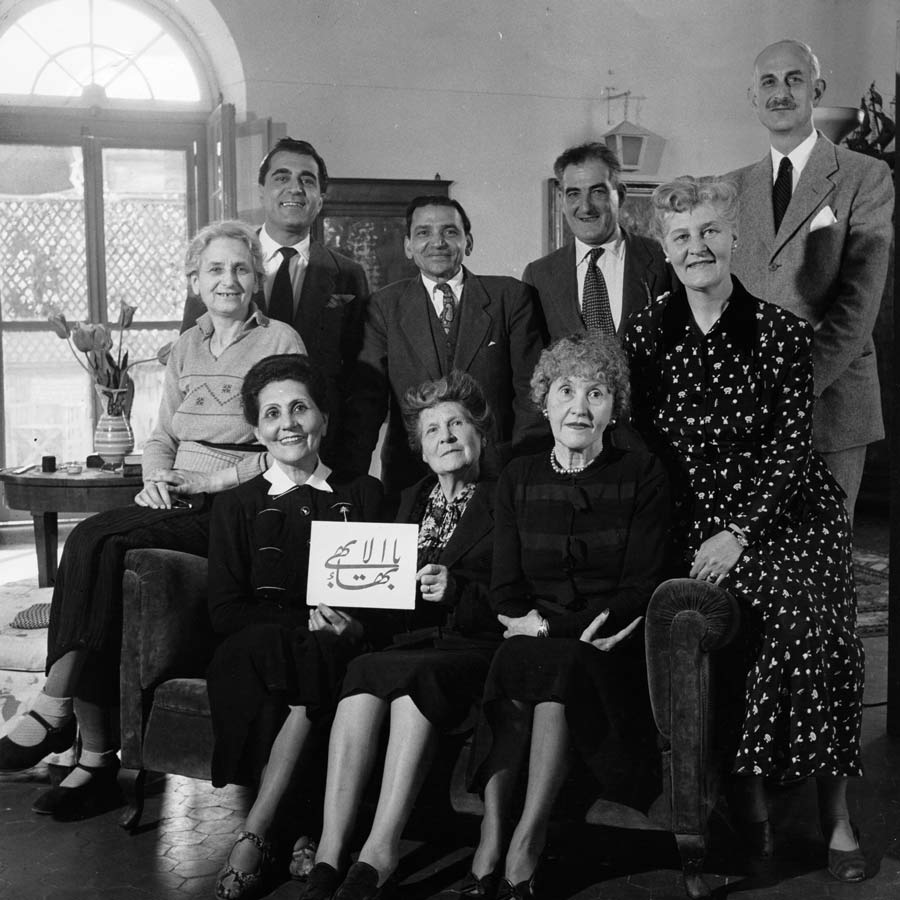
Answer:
(607, 705)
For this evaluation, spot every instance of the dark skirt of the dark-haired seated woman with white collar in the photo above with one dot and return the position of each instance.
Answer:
(254, 676)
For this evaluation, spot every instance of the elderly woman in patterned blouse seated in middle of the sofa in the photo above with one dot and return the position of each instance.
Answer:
(426, 688)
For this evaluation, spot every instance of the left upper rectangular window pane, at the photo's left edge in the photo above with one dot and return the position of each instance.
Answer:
(42, 252)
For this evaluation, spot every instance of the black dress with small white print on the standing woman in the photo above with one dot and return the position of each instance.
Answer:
(730, 412)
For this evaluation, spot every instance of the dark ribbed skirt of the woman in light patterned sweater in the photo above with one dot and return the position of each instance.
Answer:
(86, 609)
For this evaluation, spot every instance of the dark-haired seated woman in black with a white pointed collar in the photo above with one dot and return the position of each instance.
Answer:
(278, 653)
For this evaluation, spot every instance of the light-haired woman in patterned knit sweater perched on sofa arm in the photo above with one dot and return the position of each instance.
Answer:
(196, 449)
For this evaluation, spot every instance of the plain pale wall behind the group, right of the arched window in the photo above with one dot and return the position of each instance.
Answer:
(488, 93)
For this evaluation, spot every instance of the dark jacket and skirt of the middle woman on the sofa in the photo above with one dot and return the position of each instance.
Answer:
(440, 656)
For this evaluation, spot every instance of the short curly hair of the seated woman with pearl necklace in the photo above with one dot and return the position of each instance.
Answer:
(588, 356)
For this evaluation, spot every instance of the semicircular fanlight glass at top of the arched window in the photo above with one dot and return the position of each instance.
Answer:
(98, 50)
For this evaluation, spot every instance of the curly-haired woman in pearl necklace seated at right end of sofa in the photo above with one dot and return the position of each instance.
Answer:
(579, 546)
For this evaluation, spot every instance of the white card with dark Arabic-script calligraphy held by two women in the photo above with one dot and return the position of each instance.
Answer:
(363, 564)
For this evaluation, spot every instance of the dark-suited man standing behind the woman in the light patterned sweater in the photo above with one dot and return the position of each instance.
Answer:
(320, 292)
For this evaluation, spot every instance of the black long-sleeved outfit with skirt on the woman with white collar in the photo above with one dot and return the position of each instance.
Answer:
(269, 660)
